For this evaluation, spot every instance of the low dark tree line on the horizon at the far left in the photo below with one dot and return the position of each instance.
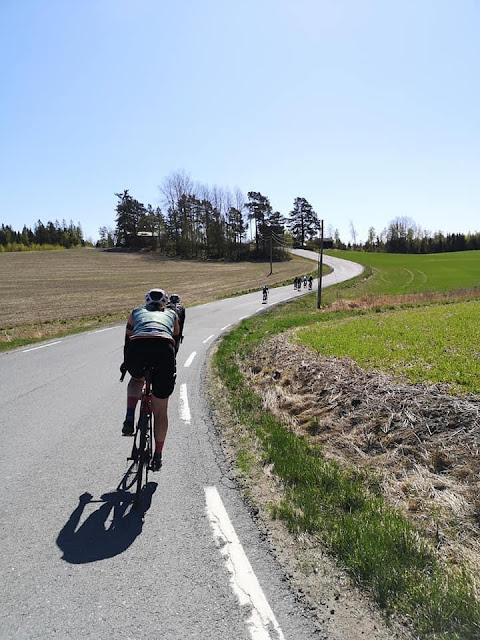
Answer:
(52, 234)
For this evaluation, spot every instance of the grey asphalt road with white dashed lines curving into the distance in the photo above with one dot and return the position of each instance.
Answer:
(76, 560)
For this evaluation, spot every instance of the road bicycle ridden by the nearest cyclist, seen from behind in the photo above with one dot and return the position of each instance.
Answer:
(142, 448)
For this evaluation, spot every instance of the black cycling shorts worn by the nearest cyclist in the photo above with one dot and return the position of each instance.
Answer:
(159, 353)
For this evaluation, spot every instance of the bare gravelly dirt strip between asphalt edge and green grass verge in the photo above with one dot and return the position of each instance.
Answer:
(341, 611)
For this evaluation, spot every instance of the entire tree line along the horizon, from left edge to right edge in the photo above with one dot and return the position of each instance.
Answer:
(198, 221)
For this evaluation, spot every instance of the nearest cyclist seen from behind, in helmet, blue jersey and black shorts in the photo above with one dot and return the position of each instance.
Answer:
(152, 336)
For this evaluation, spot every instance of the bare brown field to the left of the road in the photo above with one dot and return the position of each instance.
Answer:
(46, 292)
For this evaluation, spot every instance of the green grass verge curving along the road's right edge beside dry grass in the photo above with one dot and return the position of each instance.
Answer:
(376, 544)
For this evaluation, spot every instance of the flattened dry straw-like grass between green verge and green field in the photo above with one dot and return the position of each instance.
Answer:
(419, 444)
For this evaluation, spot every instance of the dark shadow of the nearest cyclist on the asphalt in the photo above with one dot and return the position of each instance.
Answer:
(96, 540)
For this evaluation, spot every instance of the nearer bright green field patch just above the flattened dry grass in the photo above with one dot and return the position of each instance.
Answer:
(439, 343)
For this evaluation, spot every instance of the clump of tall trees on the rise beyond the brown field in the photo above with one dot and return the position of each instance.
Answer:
(210, 223)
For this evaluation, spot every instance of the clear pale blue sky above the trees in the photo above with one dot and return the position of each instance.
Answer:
(368, 109)
